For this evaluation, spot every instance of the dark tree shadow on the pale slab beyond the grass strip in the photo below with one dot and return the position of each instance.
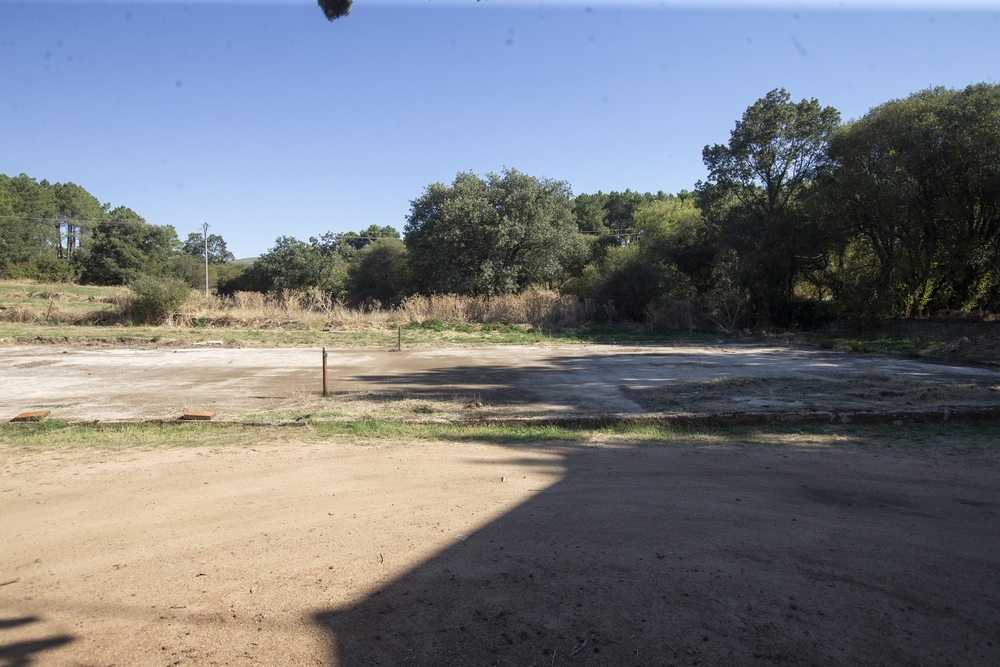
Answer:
(718, 380)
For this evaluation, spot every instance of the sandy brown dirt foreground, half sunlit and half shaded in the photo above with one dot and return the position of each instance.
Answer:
(339, 553)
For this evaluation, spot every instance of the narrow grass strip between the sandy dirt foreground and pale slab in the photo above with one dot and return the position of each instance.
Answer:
(979, 440)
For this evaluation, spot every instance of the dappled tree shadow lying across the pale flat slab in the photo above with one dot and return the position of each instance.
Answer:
(632, 382)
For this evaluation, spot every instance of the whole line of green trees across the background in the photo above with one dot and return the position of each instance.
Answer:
(802, 219)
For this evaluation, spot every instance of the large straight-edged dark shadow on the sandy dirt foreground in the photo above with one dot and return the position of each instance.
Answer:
(661, 556)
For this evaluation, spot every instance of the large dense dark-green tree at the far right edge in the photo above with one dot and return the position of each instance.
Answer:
(918, 181)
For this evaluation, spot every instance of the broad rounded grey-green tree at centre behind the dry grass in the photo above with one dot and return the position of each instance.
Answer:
(490, 236)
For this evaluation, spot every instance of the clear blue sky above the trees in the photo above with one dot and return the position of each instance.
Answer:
(263, 119)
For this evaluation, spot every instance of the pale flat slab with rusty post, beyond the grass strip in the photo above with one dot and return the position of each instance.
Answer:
(450, 382)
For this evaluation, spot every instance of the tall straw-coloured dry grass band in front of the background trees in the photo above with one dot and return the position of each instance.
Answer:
(297, 310)
